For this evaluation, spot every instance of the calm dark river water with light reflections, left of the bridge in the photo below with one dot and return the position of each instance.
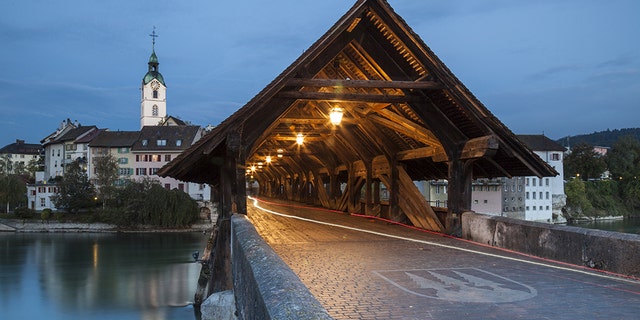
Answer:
(98, 275)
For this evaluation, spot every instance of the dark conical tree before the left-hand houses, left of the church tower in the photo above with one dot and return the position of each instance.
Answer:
(75, 192)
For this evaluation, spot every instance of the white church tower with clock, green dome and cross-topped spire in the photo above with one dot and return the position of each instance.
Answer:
(153, 108)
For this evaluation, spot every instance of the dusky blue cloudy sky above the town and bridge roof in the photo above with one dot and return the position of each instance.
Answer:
(560, 67)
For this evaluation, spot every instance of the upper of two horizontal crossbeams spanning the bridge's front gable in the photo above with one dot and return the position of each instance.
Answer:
(377, 84)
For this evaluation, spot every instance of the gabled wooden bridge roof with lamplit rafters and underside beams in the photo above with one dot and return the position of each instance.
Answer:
(399, 100)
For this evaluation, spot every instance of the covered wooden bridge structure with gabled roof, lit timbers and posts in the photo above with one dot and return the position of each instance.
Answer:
(359, 116)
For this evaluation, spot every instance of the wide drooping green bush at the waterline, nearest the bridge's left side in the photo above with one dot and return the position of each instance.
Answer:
(148, 203)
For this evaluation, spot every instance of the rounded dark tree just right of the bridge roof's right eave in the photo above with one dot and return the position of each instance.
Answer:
(583, 161)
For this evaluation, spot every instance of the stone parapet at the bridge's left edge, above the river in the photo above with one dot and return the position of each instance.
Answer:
(264, 286)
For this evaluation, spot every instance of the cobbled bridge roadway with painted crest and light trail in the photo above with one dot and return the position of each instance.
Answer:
(367, 269)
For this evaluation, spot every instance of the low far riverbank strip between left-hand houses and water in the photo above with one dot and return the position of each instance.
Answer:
(18, 225)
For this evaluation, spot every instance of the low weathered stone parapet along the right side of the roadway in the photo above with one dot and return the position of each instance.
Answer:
(610, 251)
